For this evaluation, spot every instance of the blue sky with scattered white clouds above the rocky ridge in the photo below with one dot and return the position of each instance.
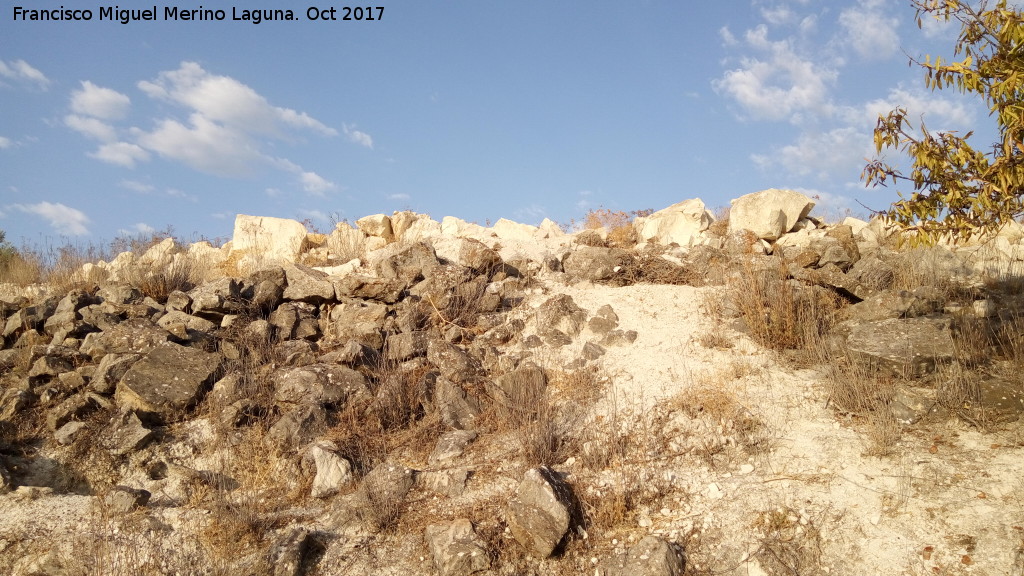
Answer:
(477, 109)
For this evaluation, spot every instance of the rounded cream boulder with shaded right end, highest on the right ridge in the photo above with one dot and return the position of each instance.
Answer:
(770, 214)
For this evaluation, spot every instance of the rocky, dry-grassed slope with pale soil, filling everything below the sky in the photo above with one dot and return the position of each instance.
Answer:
(772, 396)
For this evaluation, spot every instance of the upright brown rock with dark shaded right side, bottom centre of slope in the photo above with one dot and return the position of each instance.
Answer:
(540, 514)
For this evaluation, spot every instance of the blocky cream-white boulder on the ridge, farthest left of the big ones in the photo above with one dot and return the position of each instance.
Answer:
(268, 239)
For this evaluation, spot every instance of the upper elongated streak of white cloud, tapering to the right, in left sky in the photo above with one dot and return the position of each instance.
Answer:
(227, 101)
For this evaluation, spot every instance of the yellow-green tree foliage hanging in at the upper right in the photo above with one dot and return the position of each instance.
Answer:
(960, 192)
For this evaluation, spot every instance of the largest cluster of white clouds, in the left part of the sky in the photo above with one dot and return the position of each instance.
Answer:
(224, 129)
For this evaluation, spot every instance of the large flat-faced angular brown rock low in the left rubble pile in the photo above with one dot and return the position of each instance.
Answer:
(168, 381)
